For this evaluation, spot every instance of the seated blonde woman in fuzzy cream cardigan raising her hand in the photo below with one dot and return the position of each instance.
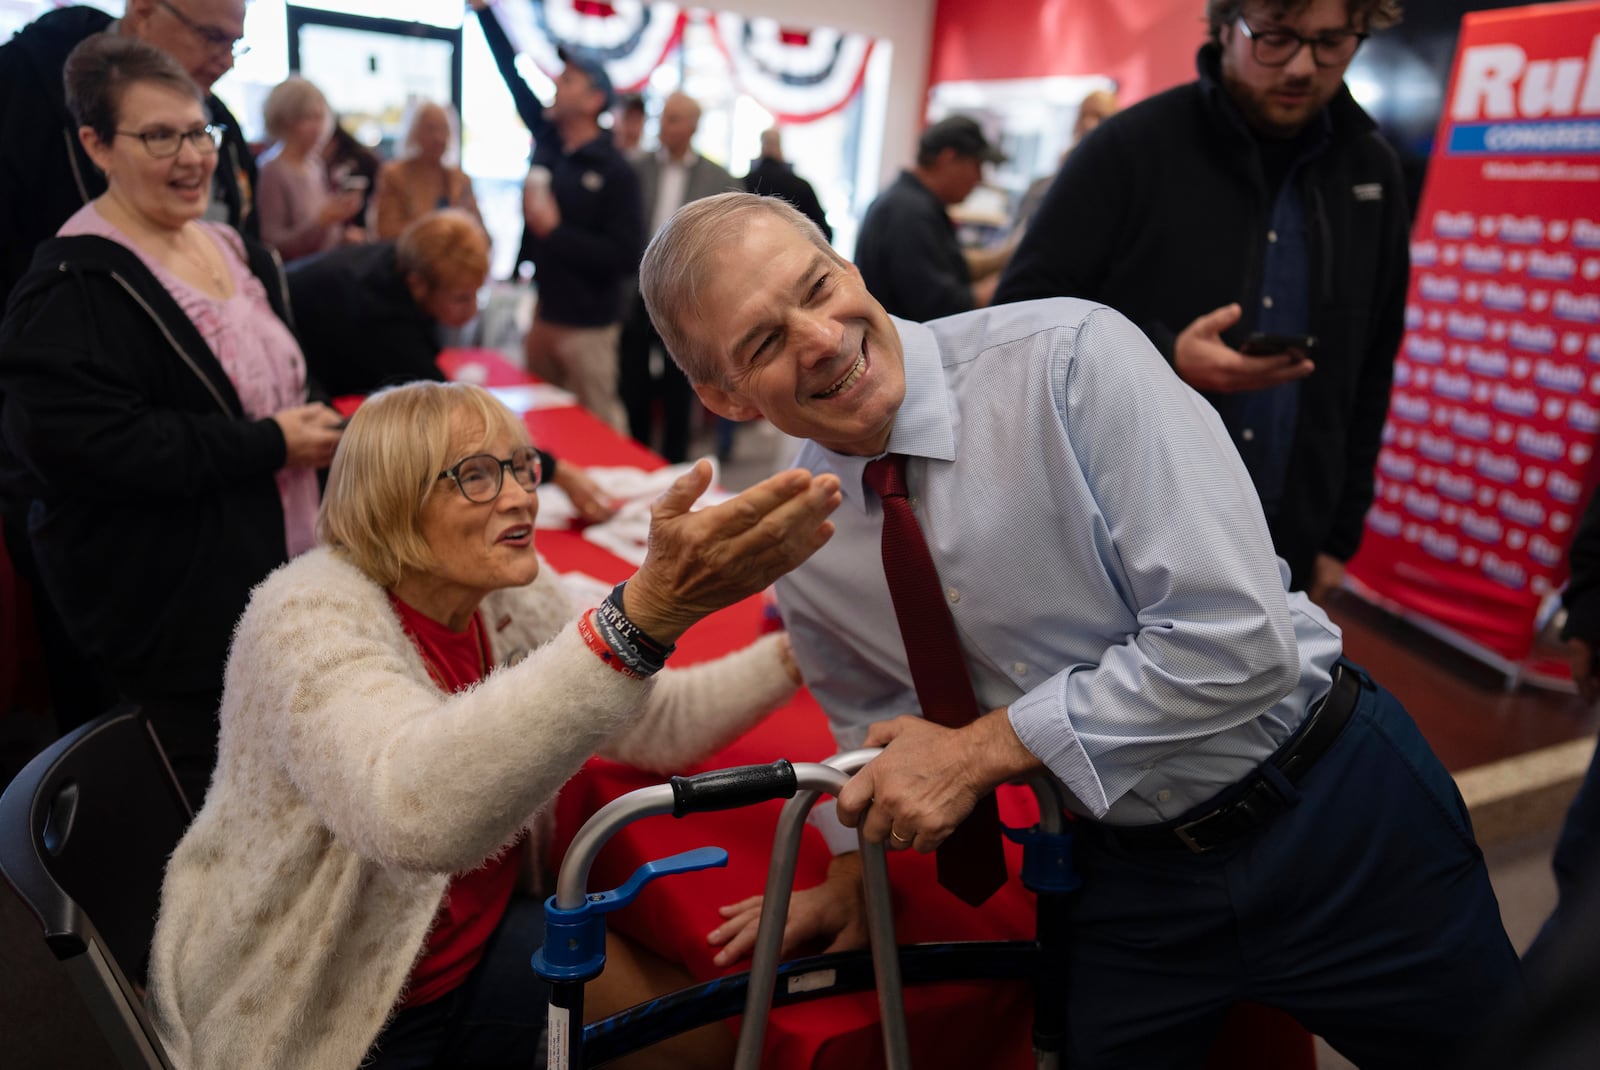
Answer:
(402, 706)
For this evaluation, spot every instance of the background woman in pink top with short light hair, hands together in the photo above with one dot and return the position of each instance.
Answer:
(298, 214)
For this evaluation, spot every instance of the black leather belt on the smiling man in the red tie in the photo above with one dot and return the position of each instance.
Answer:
(1249, 805)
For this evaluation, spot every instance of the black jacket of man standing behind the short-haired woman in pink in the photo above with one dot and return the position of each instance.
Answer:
(46, 175)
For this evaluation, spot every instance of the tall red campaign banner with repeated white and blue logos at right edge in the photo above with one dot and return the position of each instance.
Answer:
(1497, 401)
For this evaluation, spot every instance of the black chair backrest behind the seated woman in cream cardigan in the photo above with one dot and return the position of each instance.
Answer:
(86, 831)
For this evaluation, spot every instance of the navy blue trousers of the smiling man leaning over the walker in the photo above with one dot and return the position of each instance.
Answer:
(1364, 911)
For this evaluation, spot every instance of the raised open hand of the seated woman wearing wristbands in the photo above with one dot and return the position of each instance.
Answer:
(700, 562)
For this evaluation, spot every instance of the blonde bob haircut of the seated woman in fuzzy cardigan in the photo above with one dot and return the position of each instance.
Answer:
(390, 463)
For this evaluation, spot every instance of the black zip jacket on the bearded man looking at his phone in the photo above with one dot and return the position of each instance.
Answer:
(1162, 214)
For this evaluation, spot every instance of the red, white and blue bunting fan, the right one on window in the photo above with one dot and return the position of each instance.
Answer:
(796, 74)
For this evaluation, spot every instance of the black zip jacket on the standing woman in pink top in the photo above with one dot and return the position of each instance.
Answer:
(154, 506)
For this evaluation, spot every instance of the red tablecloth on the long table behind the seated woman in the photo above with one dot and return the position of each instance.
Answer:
(951, 1026)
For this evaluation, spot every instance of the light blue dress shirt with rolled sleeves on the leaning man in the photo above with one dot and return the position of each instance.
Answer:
(1102, 549)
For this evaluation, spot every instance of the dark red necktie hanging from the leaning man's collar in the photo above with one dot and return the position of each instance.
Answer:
(972, 861)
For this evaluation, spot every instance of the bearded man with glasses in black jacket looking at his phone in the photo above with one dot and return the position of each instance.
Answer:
(1258, 199)
